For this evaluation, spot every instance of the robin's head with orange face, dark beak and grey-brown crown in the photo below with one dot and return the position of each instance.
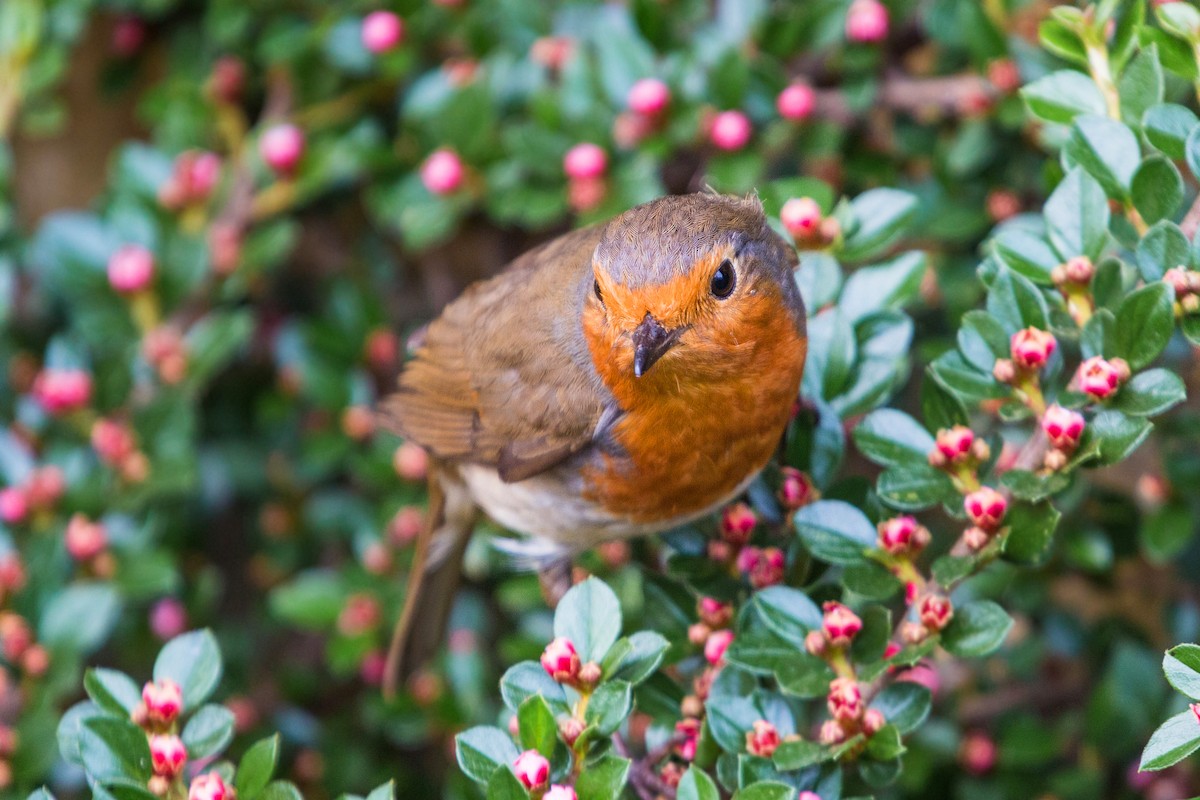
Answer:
(689, 290)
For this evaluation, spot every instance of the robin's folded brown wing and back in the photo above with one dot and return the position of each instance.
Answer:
(503, 377)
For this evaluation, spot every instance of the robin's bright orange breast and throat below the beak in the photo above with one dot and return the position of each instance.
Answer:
(704, 419)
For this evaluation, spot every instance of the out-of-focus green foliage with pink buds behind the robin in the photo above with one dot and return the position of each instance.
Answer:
(254, 496)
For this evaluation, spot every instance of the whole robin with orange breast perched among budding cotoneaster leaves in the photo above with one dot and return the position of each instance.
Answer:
(616, 382)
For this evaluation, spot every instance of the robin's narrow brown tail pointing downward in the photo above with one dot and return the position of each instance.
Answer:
(434, 582)
